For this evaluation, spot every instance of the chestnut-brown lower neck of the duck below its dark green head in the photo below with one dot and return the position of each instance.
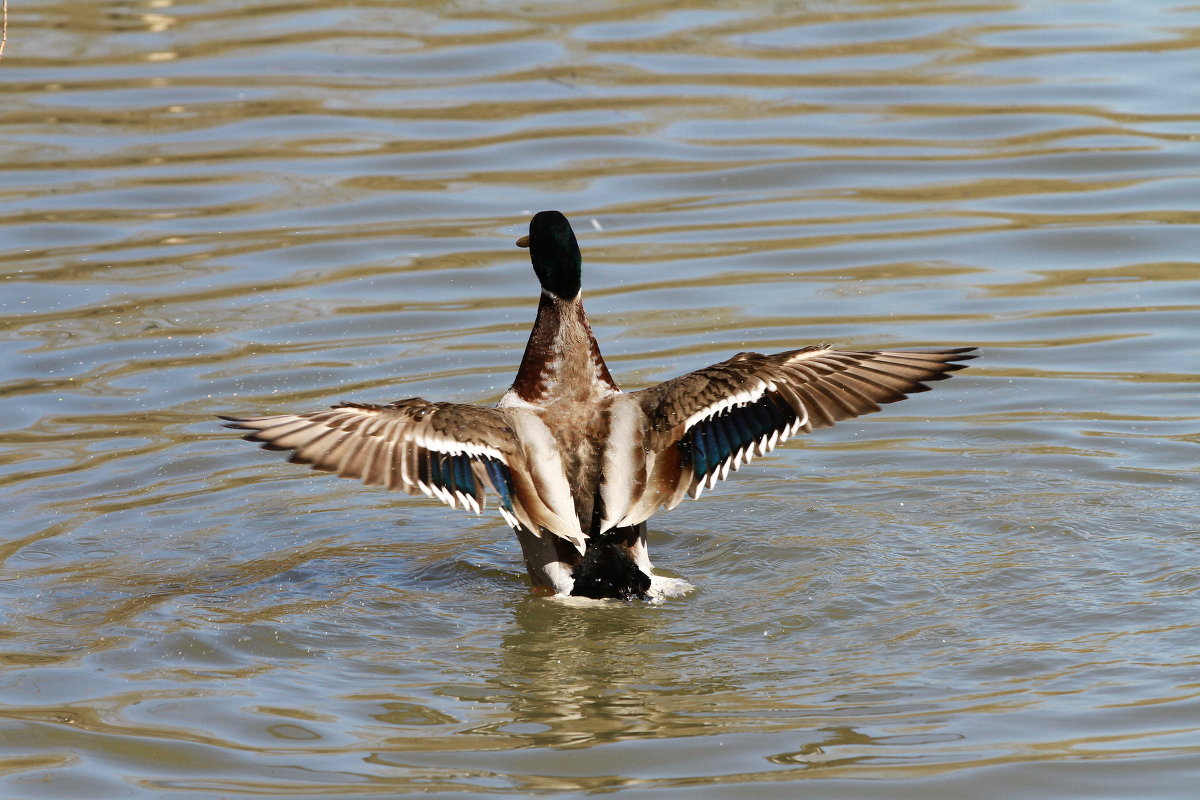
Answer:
(562, 359)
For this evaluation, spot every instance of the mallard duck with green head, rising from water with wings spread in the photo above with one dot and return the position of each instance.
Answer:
(575, 466)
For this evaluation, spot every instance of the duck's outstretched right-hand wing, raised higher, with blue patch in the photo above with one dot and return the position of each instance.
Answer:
(711, 422)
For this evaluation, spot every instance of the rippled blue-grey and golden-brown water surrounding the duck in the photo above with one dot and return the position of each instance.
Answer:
(220, 208)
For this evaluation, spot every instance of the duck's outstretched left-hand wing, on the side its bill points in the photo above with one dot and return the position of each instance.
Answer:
(449, 452)
